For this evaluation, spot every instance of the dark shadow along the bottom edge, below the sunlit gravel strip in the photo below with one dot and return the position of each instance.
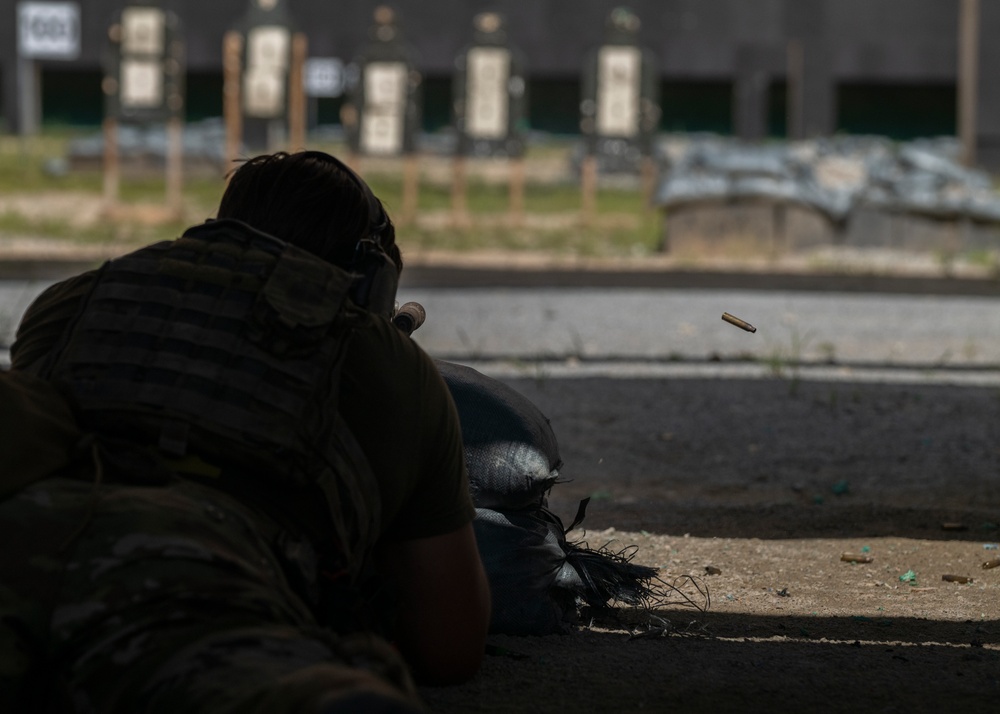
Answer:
(739, 663)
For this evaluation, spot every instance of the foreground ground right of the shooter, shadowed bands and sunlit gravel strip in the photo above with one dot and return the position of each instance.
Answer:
(769, 482)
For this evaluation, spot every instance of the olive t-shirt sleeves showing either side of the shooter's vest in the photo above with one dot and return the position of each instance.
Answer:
(392, 398)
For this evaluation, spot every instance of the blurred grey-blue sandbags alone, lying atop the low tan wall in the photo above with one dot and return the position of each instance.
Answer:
(834, 176)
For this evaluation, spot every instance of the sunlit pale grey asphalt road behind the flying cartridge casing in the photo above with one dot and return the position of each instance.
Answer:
(575, 329)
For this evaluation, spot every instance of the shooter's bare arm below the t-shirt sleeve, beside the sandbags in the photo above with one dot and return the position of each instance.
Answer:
(444, 604)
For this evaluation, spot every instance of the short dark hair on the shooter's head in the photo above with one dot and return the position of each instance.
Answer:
(306, 199)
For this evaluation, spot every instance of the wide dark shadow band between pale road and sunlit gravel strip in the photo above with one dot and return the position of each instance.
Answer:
(769, 458)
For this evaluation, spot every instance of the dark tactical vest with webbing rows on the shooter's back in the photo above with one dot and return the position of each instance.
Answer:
(226, 344)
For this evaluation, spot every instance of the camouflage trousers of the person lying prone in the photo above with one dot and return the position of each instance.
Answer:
(150, 599)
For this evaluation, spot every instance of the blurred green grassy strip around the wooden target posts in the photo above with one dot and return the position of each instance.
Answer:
(553, 223)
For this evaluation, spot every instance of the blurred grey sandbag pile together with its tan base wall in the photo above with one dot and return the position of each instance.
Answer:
(851, 191)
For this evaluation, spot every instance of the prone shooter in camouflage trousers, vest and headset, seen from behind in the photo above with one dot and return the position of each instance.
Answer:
(242, 488)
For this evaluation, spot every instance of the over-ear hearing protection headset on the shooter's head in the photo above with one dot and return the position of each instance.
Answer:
(377, 276)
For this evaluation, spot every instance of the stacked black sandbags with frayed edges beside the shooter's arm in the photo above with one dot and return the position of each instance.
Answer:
(537, 578)
